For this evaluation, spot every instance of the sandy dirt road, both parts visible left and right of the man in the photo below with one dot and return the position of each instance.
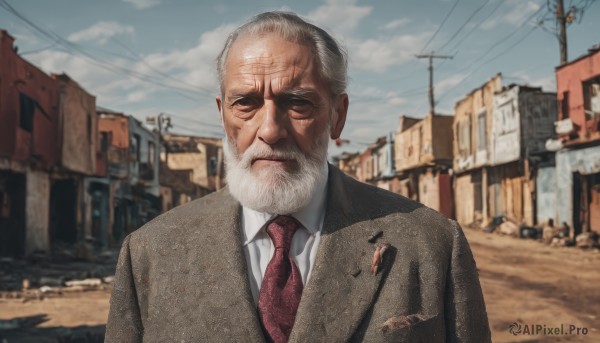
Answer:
(523, 281)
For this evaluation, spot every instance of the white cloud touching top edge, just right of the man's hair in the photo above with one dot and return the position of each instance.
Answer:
(341, 16)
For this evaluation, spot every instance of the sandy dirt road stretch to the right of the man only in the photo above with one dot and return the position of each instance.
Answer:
(529, 283)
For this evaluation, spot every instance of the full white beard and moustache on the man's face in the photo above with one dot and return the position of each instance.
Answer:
(274, 190)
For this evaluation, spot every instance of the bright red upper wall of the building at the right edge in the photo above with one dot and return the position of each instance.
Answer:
(569, 79)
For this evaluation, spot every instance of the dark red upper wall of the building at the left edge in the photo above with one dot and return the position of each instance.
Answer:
(19, 76)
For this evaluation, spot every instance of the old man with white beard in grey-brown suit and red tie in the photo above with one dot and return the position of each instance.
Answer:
(293, 250)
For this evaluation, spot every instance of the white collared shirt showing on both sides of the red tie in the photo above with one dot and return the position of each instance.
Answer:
(258, 246)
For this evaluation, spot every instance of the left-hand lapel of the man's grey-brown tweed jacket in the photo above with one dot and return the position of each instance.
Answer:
(229, 308)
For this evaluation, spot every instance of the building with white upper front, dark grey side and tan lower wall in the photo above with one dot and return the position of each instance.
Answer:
(522, 122)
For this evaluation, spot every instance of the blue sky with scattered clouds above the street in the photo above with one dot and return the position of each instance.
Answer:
(144, 57)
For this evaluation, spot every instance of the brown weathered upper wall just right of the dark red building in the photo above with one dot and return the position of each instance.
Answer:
(78, 131)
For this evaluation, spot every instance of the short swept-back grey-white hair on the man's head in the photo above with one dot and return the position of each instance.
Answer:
(330, 56)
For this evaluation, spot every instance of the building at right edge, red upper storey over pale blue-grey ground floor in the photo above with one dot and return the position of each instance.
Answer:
(578, 126)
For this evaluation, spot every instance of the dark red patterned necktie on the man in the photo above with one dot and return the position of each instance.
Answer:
(281, 287)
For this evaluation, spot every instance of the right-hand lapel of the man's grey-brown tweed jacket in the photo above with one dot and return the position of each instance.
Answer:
(341, 288)
